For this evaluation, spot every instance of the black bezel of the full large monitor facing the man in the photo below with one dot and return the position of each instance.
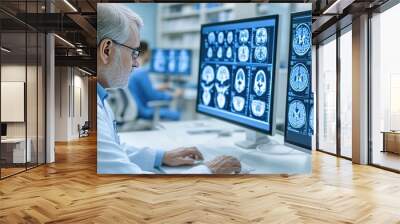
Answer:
(272, 111)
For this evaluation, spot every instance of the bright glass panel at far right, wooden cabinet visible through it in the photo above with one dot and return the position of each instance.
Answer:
(385, 89)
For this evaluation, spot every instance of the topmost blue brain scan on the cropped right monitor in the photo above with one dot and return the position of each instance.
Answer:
(302, 39)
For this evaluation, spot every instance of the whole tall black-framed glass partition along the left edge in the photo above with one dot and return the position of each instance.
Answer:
(22, 77)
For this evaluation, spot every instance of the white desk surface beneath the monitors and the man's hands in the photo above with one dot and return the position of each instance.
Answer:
(278, 159)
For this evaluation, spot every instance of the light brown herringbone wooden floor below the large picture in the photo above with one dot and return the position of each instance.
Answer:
(70, 191)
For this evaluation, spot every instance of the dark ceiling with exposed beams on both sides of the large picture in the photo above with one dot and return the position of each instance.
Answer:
(76, 23)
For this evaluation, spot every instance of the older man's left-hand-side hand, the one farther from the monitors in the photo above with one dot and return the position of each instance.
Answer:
(182, 156)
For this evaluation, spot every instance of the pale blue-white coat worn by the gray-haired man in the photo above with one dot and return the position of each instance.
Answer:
(116, 158)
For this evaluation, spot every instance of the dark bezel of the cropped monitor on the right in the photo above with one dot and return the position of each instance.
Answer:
(292, 15)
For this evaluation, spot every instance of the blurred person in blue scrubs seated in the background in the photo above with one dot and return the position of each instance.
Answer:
(142, 89)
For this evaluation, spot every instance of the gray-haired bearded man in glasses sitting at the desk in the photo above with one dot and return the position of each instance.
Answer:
(118, 40)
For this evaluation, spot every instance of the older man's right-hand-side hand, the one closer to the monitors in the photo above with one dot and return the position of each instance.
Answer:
(224, 165)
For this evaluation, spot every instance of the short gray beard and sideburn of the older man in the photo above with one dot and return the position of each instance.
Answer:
(114, 73)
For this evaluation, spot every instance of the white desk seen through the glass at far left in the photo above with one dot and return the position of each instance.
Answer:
(18, 150)
